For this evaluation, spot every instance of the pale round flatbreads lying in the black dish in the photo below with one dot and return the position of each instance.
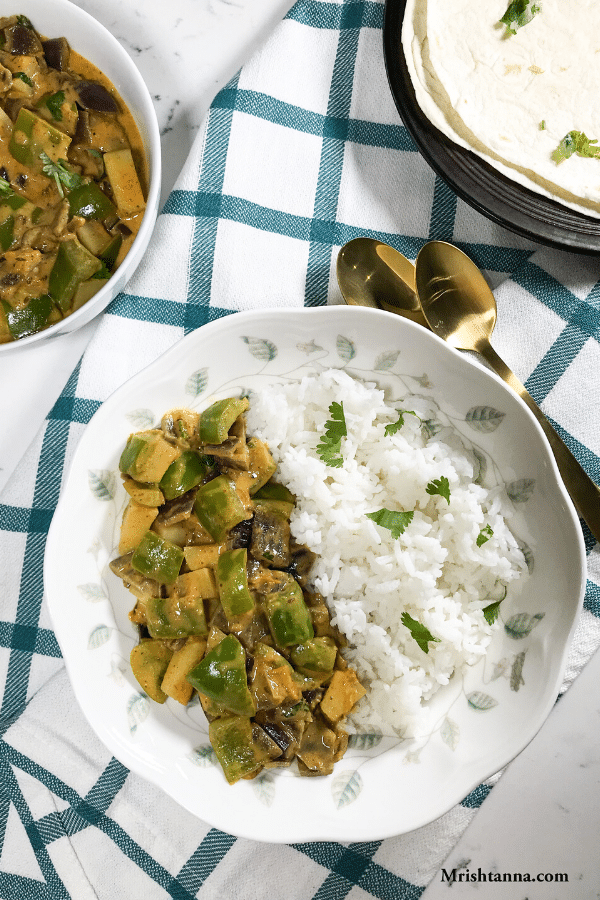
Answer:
(490, 94)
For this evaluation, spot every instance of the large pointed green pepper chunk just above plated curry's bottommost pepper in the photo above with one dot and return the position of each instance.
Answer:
(221, 676)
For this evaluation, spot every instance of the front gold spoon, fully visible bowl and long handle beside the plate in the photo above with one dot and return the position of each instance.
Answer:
(460, 308)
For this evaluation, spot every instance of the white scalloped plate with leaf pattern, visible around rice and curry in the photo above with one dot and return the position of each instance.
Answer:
(381, 787)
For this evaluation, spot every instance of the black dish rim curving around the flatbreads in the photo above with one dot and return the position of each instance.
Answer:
(477, 183)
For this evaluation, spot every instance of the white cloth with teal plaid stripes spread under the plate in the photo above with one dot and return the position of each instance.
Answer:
(301, 152)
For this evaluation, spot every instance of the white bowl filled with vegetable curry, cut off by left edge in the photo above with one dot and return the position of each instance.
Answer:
(79, 170)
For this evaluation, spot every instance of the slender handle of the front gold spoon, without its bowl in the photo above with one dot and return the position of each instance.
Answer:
(584, 492)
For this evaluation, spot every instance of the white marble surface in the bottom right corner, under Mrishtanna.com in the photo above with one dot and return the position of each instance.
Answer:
(543, 817)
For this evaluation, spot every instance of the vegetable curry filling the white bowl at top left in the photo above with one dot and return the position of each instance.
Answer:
(73, 180)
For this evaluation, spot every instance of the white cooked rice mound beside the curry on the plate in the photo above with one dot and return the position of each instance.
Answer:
(434, 570)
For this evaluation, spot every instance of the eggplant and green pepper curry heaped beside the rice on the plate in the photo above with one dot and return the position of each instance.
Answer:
(223, 603)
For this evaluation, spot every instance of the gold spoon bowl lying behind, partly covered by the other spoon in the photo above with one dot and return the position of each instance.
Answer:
(371, 273)
